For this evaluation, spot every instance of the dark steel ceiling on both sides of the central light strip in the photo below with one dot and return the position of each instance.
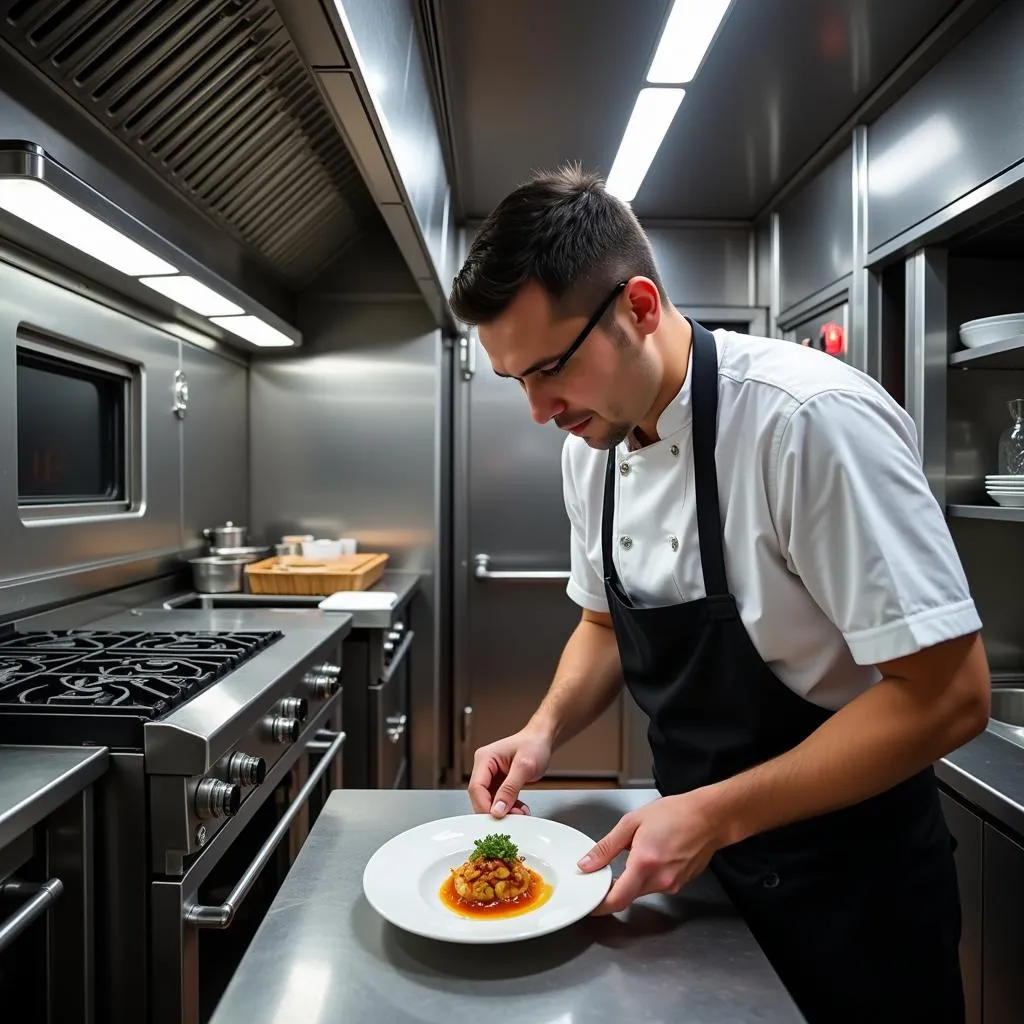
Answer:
(535, 83)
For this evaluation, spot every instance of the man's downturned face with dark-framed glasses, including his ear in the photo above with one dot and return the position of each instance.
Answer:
(599, 387)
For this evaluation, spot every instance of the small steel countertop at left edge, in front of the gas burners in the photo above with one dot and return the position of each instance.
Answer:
(36, 781)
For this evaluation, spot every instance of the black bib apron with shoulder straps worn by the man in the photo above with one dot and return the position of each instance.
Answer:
(858, 910)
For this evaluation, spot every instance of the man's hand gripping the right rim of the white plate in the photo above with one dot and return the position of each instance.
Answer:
(670, 841)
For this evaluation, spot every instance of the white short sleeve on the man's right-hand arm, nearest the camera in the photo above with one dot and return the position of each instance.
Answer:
(859, 525)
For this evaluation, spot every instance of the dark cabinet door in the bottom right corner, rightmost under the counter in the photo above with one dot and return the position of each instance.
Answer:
(1003, 983)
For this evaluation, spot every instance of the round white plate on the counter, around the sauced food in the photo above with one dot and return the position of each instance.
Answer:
(402, 880)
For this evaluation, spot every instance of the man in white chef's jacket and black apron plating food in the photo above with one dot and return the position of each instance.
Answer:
(758, 558)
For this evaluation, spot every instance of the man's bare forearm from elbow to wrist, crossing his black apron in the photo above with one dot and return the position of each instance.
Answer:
(893, 731)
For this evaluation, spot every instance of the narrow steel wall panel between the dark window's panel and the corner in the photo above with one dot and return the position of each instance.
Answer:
(215, 444)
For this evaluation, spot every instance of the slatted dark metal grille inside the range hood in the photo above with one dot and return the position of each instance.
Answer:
(214, 96)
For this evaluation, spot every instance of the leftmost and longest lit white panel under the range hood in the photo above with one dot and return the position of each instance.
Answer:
(36, 203)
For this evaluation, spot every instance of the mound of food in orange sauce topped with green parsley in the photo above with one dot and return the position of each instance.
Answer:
(494, 881)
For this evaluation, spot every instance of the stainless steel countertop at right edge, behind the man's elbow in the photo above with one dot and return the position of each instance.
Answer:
(990, 774)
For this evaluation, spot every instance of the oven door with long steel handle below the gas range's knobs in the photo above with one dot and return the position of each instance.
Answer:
(204, 922)
